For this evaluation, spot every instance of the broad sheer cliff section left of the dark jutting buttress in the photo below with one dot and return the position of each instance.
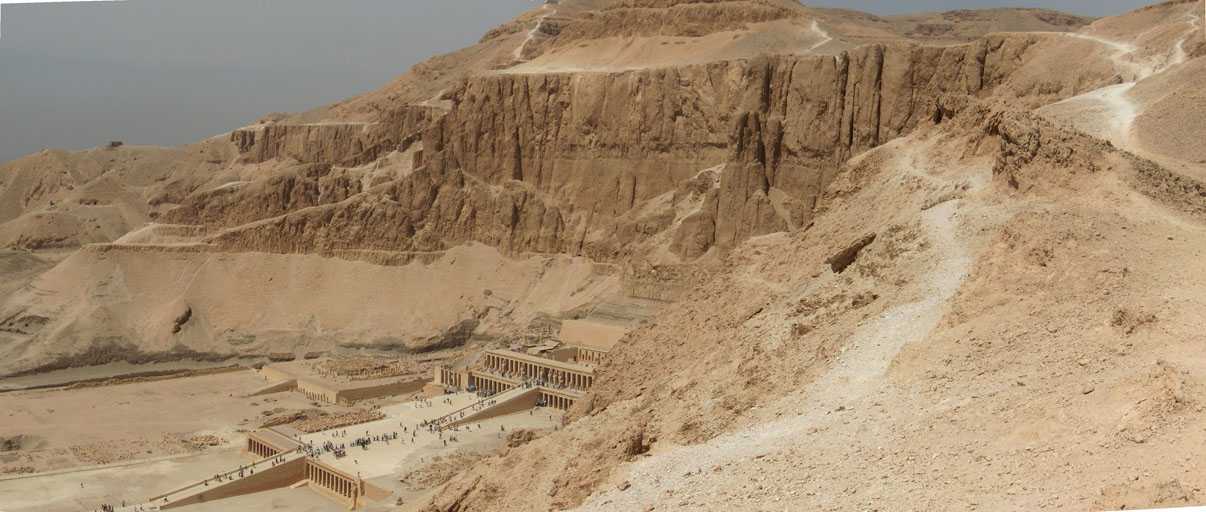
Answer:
(606, 140)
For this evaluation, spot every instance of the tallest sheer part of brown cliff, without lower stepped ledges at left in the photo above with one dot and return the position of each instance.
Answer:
(601, 144)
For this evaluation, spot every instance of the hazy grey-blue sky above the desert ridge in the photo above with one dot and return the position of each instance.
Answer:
(175, 72)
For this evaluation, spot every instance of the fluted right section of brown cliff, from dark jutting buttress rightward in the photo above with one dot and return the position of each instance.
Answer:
(812, 114)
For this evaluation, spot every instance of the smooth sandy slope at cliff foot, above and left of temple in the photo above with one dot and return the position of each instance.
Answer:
(260, 304)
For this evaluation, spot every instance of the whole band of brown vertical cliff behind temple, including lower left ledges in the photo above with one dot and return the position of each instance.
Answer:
(555, 162)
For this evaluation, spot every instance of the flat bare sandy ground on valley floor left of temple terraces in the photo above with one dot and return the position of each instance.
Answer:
(120, 423)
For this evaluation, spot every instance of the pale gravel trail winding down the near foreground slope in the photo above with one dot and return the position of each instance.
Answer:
(854, 380)
